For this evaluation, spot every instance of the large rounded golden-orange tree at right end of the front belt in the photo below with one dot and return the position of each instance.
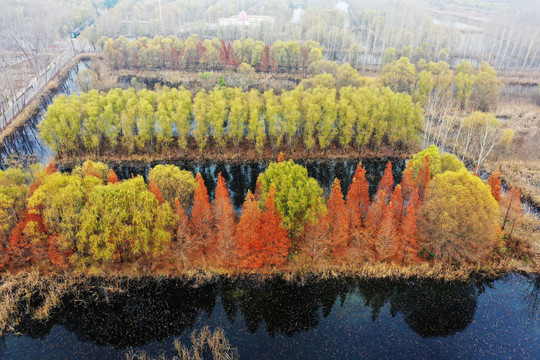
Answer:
(458, 220)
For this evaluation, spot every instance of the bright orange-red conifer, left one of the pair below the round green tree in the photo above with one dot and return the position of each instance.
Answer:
(248, 239)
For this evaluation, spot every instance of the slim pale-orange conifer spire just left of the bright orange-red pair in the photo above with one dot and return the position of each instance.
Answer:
(224, 221)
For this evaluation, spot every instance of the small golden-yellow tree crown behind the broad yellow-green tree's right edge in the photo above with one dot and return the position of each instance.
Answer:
(174, 183)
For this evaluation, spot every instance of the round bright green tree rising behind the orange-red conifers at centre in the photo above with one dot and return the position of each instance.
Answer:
(298, 197)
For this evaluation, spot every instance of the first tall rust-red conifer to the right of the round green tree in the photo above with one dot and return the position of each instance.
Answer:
(338, 220)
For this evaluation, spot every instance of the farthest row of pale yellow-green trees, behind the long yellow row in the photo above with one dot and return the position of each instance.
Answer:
(173, 53)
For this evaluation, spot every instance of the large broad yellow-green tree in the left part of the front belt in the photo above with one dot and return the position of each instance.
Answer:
(110, 232)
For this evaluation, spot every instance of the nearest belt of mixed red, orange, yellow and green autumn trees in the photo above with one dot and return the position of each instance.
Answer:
(438, 212)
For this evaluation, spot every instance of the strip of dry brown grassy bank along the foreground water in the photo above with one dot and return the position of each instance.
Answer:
(31, 296)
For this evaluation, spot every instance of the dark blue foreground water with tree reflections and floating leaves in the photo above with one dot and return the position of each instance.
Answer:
(331, 319)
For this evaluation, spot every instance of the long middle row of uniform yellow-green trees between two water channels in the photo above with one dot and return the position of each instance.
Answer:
(149, 121)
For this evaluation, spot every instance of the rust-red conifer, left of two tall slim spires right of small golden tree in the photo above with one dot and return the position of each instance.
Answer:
(201, 222)
